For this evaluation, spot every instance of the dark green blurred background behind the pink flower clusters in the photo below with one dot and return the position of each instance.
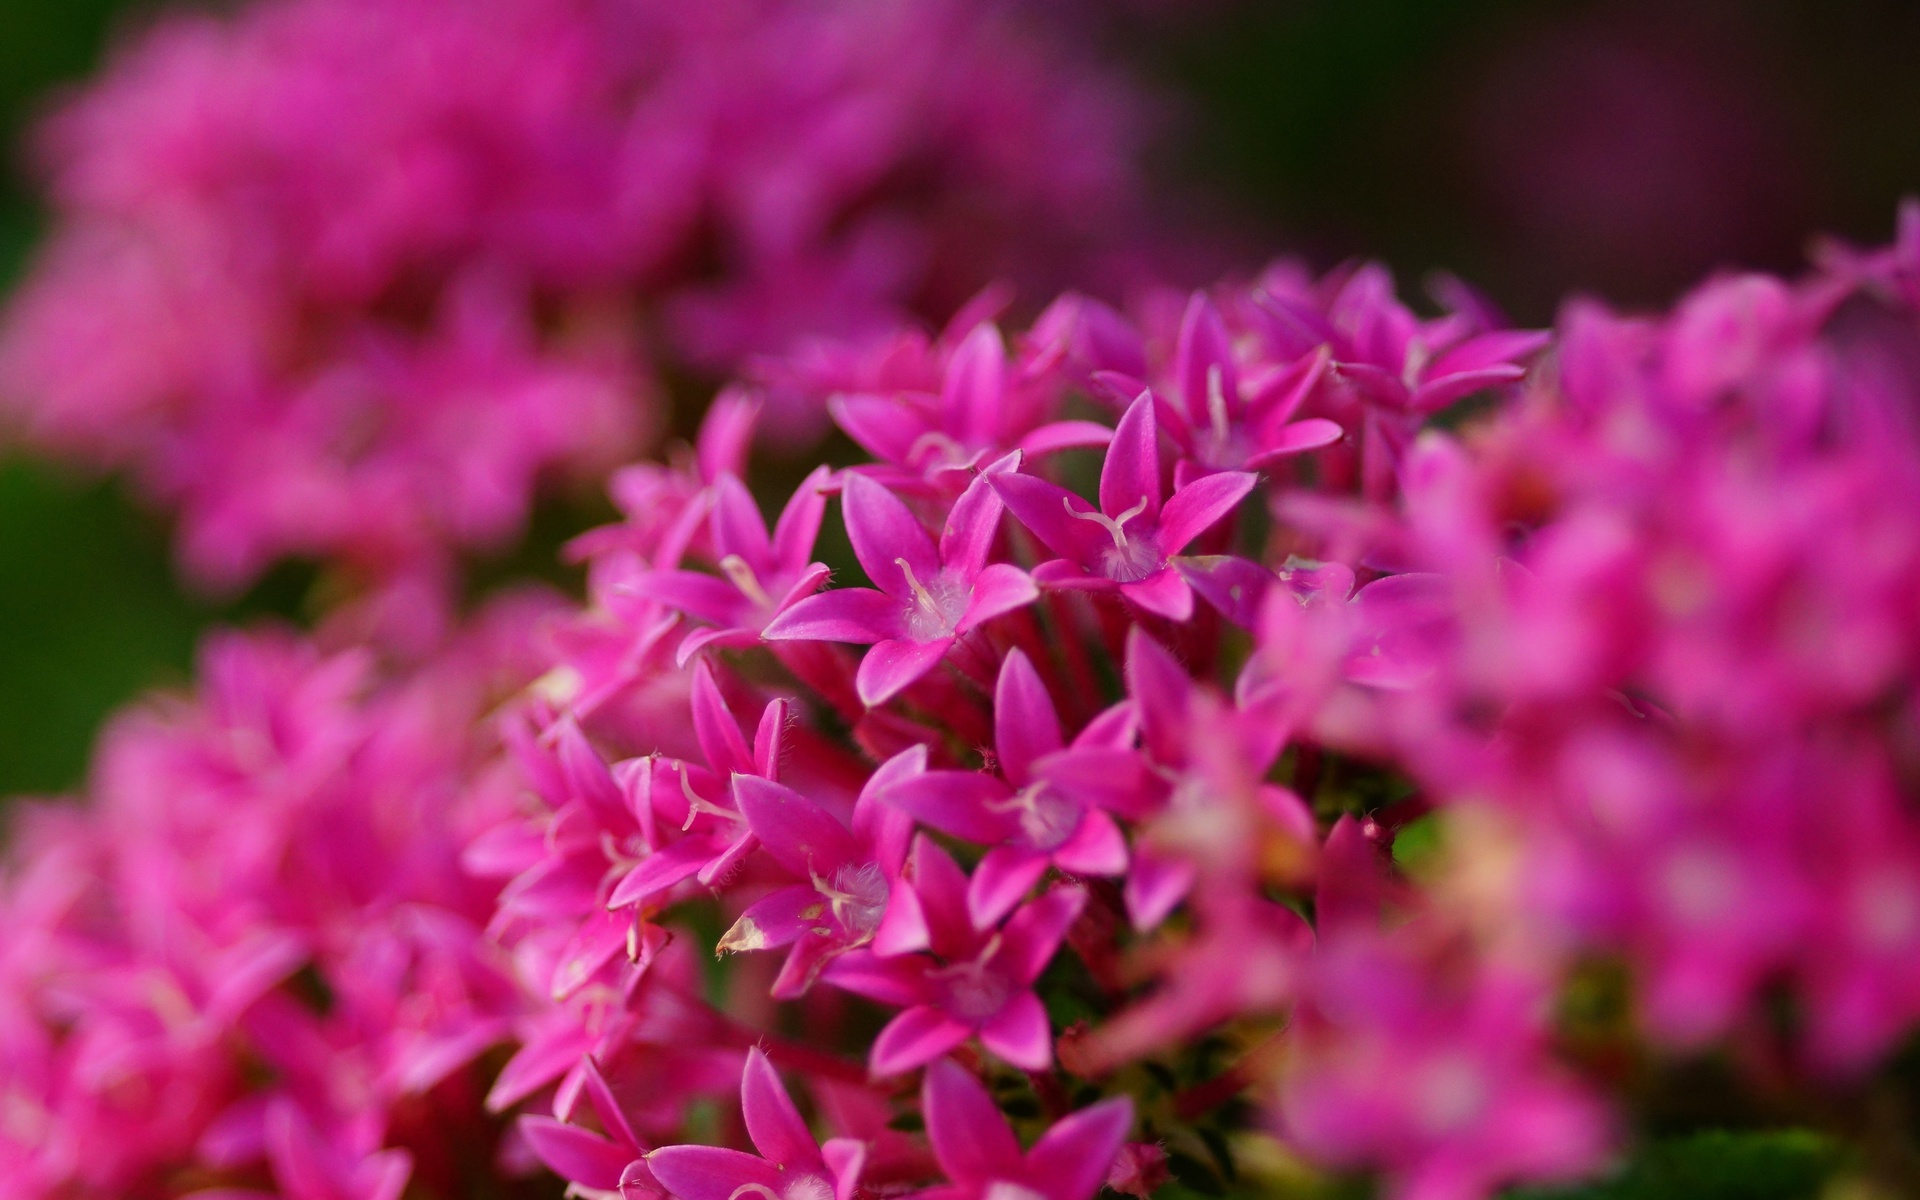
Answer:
(1535, 147)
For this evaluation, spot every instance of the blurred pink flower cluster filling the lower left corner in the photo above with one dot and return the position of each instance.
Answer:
(254, 961)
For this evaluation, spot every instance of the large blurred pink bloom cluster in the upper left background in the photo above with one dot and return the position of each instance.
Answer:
(348, 279)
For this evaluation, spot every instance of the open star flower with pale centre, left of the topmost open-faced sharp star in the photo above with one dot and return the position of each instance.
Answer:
(928, 598)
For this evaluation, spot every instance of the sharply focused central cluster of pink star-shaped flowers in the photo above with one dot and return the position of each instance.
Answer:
(1007, 811)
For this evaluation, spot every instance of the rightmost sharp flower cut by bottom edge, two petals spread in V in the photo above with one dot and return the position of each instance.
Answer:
(982, 1159)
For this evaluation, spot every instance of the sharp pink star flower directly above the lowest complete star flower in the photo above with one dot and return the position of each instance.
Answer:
(1026, 819)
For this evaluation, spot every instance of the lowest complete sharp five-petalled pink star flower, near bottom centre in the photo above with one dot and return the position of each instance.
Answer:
(971, 982)
